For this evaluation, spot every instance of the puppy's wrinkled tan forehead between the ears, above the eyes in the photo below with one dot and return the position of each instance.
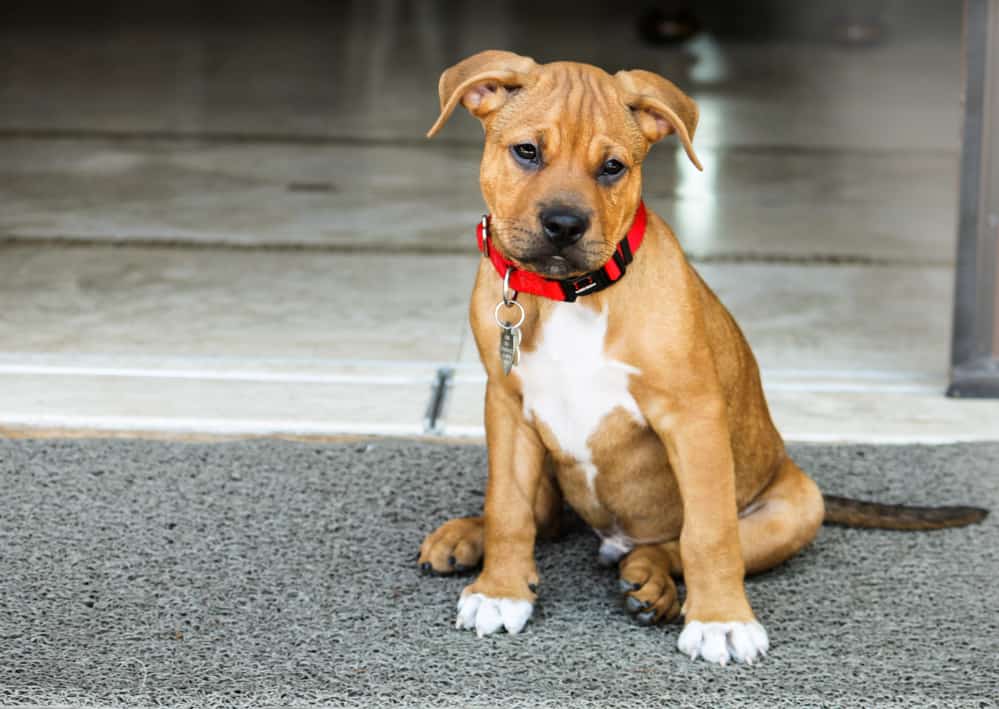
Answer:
(569, 107)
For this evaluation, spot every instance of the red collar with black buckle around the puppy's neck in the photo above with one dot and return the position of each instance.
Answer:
(570, 288)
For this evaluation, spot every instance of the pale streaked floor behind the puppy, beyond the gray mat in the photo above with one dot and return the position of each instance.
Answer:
(238, 228)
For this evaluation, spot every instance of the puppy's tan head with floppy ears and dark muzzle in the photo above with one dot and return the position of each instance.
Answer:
(561, 171)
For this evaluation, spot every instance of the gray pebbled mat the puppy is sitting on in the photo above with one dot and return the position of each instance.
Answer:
(265, 574)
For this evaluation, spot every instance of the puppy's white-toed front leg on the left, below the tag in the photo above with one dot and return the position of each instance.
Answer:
(503, 595)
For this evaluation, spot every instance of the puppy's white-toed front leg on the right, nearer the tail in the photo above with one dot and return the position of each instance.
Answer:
(719, 624)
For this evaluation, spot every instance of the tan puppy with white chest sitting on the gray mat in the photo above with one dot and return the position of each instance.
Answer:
(640, 404)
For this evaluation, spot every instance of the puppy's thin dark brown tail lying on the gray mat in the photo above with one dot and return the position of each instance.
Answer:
(874, 515)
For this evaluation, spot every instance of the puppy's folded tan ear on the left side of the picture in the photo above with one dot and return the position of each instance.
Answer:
(481, 84)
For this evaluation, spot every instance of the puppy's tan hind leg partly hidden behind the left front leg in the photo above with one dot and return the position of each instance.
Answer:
(457, 545)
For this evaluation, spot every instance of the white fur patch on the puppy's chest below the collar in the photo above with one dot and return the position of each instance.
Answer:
(568, 382)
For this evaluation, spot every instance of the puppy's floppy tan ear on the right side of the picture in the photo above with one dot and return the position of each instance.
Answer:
(660, 108)
